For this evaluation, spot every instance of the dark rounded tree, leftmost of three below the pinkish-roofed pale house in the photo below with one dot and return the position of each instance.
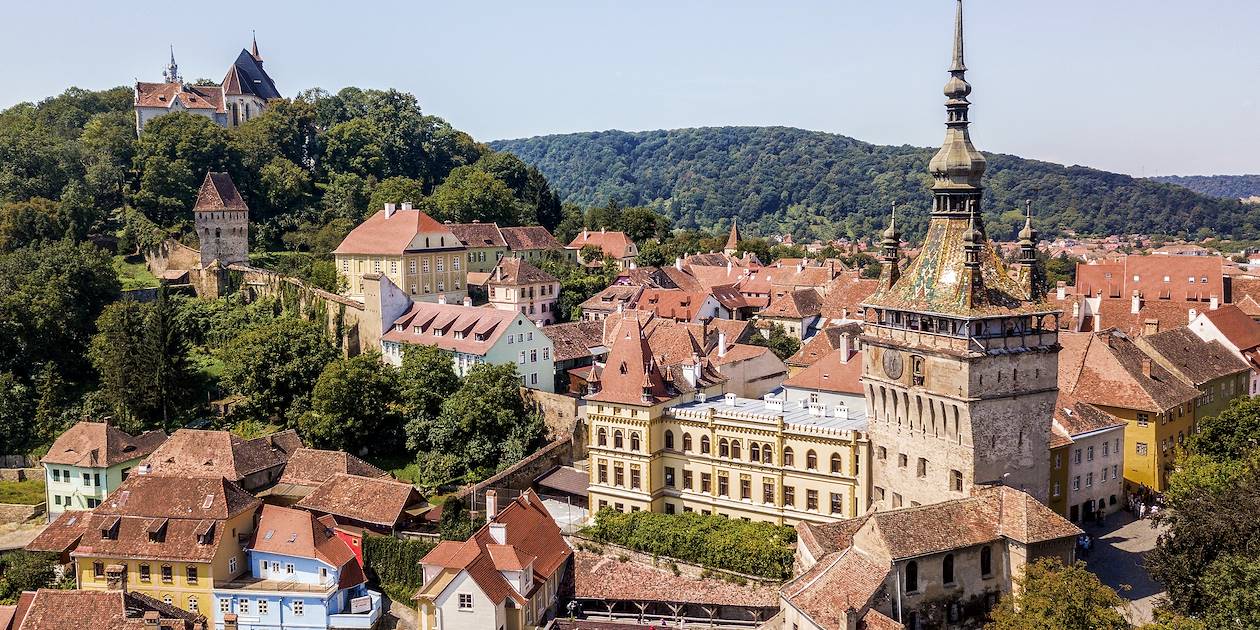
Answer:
(353, 406)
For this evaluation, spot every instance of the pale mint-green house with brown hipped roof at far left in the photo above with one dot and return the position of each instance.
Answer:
(89, 462)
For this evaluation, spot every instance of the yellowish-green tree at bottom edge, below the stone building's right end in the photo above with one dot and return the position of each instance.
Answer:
(1051, 595)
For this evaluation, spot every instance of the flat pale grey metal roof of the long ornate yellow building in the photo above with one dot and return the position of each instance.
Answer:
(796, 415)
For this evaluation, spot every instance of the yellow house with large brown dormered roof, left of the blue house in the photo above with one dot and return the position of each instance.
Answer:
(171, 539)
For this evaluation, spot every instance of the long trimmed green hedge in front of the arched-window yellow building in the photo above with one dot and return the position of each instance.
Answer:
(715, 542)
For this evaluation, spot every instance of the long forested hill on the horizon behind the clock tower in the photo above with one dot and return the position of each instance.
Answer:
(810, 183)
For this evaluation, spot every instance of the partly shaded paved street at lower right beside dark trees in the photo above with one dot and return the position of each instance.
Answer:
(1120, 551)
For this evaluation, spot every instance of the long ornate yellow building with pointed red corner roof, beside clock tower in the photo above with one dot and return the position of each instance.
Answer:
(667, 440)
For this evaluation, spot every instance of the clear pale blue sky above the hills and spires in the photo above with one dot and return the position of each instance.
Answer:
(1146, 88)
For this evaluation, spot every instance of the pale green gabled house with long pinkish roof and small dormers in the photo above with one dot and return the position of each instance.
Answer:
(473, 336)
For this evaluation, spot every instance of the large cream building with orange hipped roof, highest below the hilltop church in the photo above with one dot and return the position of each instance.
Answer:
(419, 255)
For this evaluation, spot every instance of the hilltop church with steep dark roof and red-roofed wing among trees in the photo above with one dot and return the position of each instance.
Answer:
(241, 96)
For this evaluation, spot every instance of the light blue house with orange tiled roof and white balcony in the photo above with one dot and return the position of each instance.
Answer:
(302, 576)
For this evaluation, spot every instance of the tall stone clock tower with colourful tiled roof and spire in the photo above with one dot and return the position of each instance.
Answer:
(961, 369)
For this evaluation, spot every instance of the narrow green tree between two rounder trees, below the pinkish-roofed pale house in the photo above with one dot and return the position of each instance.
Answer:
(428, 377)
